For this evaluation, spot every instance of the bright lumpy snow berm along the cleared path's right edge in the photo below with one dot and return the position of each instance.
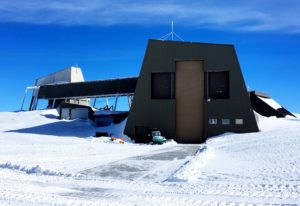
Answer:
(192, 169)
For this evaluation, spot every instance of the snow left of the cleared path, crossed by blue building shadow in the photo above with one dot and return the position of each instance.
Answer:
(63, 146)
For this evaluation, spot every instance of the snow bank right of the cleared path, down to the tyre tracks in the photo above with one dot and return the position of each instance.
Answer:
(257, 158)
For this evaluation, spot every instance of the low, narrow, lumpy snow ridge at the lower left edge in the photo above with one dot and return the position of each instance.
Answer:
(34, 170)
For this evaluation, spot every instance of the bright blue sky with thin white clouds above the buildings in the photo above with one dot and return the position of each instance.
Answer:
(107, 39)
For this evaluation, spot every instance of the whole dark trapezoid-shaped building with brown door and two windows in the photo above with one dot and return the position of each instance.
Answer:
(190, 91)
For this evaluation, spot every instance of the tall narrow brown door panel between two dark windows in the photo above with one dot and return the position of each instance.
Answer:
(189, 101)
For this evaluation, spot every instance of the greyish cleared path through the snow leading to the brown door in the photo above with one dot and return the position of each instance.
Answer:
(154, 166)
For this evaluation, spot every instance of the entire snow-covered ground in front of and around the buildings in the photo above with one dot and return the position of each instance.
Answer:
(46, 161)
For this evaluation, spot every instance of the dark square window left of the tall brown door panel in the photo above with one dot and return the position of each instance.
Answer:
(163, 85)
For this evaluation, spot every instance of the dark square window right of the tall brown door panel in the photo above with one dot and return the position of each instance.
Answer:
(217, 85)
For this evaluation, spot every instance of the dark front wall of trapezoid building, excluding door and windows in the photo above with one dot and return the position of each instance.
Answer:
(161, 56)
